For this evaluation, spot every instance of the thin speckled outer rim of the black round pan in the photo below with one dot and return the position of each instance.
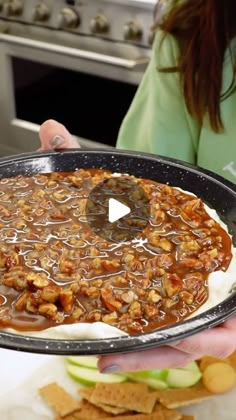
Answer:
(125, 344)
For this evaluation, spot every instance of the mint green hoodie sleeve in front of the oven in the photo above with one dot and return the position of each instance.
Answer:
(157, 120)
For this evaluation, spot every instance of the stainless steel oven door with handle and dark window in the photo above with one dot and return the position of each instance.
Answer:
(87, 89)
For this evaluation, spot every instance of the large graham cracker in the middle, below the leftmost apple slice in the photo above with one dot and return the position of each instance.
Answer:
(131, 396)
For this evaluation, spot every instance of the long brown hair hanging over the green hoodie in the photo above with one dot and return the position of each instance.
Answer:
(204, 30)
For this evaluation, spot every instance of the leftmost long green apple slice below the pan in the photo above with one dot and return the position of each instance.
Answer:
(87, 376)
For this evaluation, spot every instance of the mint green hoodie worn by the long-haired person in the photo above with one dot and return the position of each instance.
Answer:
(158, 121)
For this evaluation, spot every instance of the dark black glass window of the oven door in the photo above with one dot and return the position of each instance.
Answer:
(91, 107)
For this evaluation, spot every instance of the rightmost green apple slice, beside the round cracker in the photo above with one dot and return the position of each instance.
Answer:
(182, 378)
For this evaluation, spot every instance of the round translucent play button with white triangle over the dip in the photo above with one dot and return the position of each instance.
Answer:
(117, 209)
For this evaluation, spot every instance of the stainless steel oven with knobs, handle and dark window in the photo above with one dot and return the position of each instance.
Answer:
(77, 61)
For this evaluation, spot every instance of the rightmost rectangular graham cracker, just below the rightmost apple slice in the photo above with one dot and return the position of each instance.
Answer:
(174, 398)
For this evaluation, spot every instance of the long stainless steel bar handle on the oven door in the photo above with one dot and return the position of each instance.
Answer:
(137, 64)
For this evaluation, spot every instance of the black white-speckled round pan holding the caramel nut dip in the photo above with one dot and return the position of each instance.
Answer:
(214, 190)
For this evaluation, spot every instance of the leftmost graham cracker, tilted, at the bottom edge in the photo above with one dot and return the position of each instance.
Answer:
(59, 399)
